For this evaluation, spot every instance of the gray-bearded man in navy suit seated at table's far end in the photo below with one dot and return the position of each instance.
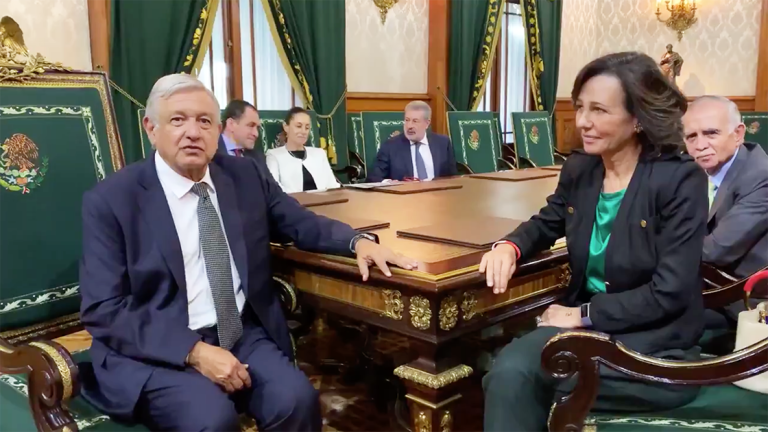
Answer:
(417, 154)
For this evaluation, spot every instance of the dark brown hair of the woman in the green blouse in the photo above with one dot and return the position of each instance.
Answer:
(657, 104)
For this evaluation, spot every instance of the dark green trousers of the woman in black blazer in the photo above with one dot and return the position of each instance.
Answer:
(519, 394)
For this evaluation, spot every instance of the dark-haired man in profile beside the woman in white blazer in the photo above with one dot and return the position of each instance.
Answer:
(240, 123)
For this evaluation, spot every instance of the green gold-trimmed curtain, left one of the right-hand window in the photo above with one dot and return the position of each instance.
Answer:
(475, 26)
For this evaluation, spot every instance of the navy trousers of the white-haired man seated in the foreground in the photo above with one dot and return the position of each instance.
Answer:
(281, 397)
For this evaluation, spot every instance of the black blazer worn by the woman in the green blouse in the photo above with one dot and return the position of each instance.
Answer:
(653, 301)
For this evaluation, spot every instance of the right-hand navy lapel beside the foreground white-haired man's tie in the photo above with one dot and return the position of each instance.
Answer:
(233, 224)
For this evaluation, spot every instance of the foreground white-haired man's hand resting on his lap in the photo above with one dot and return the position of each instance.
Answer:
(219, 366)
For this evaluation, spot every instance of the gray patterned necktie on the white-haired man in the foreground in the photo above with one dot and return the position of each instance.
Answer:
(218, 268)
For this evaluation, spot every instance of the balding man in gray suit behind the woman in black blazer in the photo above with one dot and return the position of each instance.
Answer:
(736, 240)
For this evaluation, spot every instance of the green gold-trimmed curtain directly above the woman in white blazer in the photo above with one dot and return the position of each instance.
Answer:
(311, 40)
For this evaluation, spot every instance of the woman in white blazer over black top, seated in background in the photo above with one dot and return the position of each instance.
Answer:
(297, 167)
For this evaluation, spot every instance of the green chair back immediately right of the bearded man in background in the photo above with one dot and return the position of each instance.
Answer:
(475, 138)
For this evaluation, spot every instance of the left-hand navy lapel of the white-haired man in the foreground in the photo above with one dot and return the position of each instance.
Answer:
(156, 213)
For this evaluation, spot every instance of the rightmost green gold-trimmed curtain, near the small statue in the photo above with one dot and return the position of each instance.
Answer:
(543, 22)
